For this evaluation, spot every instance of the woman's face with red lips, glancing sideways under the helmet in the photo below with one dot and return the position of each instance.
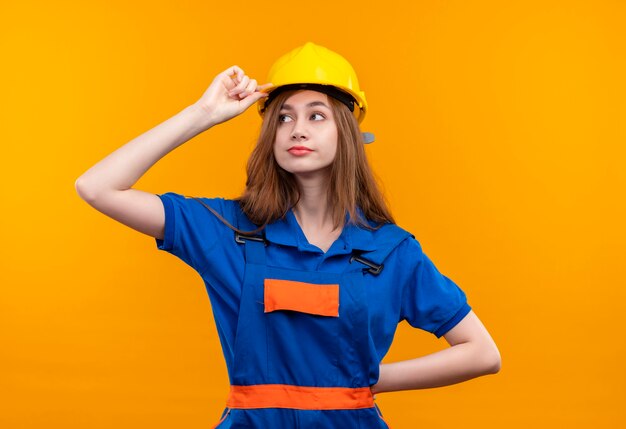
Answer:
(306, 137)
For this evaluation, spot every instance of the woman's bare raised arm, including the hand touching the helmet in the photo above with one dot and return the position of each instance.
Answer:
(107, 186)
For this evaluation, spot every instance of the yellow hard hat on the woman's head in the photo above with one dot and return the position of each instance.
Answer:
(315, 67)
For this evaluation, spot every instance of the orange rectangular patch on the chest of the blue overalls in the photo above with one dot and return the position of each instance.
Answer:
(309, 298)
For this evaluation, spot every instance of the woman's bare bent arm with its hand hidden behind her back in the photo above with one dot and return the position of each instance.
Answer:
(472, 353)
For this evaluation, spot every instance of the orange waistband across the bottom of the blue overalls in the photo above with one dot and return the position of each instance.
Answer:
(299, 397)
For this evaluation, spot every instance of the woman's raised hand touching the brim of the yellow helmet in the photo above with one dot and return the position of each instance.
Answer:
(229, 95)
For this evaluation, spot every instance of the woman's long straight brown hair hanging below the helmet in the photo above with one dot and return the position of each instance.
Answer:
(271, 191)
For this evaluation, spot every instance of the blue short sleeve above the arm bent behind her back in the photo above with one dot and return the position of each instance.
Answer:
(432, 301)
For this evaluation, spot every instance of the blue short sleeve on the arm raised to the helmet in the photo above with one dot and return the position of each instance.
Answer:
(191, 230)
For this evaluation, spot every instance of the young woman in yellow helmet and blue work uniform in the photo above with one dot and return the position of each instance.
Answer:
(307, 273)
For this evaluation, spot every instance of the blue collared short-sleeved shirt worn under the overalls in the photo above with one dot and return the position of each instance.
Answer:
(409, 287)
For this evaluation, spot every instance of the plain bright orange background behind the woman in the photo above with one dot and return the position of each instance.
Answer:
(500, 141)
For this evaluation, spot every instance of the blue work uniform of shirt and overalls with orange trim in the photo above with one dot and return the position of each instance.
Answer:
(307, 353)
